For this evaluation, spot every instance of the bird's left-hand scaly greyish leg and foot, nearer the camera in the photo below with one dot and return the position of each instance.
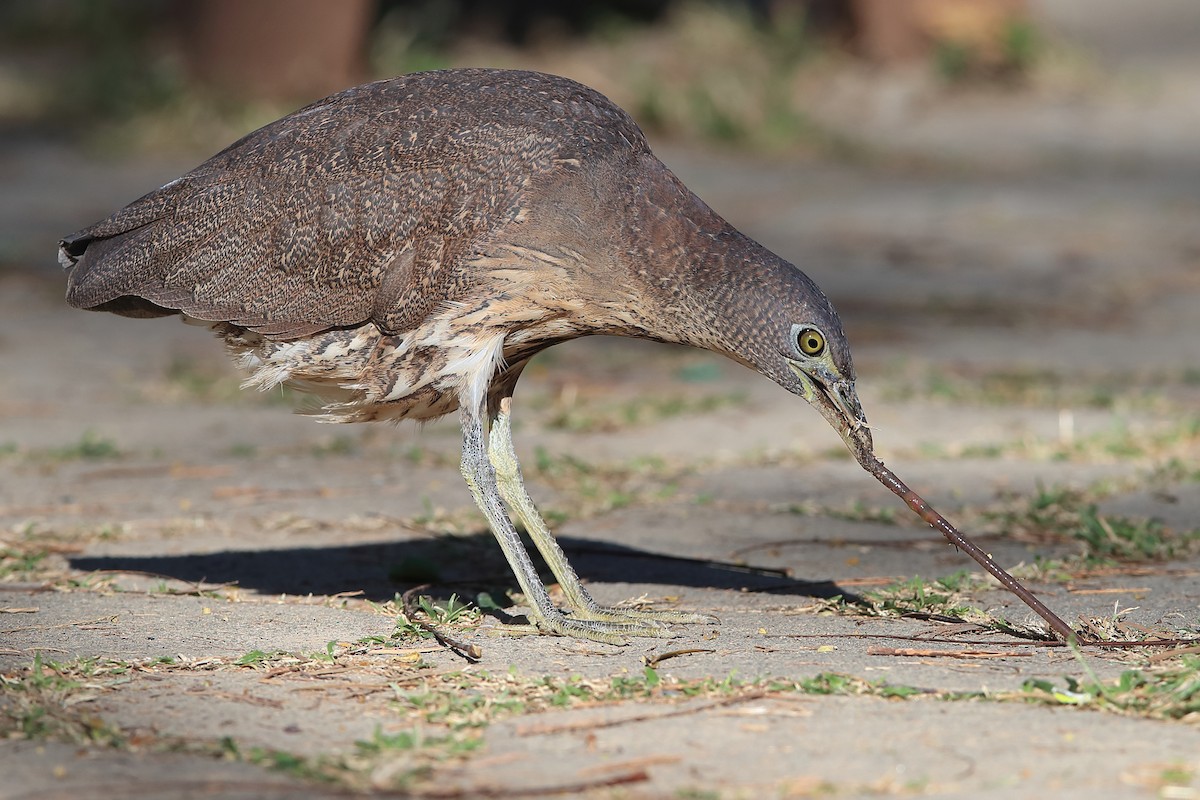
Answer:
(481, 477)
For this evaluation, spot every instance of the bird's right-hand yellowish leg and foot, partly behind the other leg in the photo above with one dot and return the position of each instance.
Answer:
(508, 476)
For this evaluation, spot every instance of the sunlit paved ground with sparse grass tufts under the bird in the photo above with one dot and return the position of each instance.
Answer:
(200, 591)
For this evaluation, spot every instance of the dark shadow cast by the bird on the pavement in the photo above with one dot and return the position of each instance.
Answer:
(467, 564)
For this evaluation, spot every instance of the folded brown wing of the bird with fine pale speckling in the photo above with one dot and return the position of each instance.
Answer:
(325, 219)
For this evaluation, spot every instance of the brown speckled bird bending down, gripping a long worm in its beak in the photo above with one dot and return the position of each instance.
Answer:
(404, 249)
